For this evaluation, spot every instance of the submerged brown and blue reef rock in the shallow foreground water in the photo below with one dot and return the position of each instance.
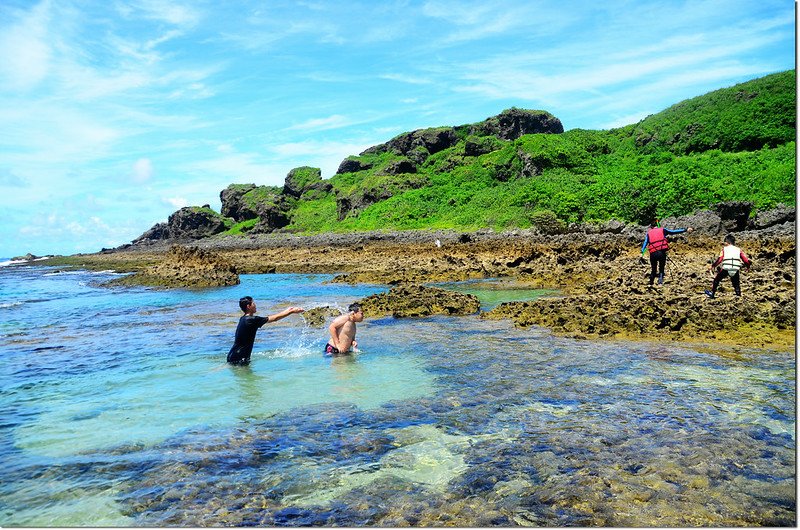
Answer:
(520, 450)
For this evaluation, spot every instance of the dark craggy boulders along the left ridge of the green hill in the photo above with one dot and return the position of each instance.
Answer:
(271, 204)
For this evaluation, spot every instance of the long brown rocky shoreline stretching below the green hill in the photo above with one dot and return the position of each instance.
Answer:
(601, 281)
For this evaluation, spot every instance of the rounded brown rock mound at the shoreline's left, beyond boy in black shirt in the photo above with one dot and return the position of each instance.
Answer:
(185, 267)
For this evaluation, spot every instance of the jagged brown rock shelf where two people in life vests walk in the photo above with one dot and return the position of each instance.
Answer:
(611, 297)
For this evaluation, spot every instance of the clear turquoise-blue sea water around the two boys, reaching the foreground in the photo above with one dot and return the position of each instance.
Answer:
(119, 410)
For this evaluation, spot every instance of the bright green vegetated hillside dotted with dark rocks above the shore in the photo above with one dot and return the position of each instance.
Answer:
(733, 144)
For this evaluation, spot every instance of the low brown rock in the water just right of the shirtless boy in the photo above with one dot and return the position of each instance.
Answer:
(419, 301)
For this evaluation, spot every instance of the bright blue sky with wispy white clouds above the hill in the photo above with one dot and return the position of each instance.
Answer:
(116, 113)
